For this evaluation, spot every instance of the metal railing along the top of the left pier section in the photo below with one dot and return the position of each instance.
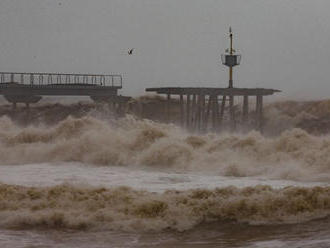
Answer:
(61, 79)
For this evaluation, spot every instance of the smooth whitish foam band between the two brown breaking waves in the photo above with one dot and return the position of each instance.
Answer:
(143, 178)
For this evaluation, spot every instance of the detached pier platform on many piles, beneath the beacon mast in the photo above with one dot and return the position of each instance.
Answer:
(203, 109)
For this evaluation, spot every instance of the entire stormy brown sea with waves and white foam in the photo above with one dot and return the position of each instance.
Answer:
(73, 176)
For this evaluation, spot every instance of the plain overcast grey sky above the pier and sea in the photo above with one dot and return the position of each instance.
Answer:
(284, 43)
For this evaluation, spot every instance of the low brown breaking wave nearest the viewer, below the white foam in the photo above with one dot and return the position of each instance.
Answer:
(74, 207)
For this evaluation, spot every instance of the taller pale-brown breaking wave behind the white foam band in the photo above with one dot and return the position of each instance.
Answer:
(294, 155)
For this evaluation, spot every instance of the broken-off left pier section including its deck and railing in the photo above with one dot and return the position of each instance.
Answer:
(30, 87)
